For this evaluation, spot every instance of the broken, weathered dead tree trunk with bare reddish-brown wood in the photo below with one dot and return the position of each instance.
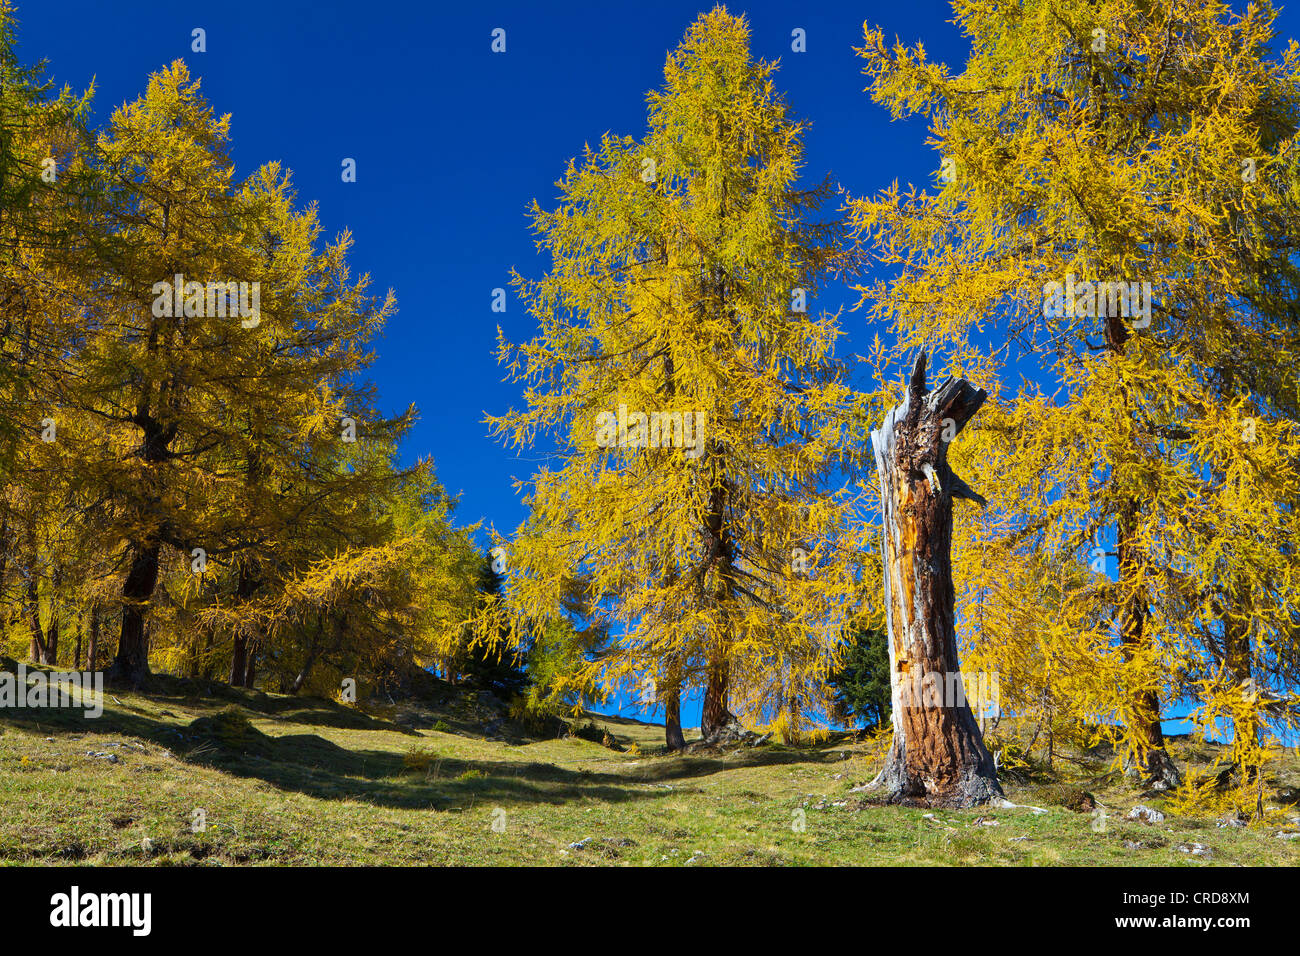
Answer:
(938, 756)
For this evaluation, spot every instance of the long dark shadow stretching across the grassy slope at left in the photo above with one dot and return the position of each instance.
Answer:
(223, 739)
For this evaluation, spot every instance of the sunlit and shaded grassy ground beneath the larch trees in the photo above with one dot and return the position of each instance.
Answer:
(180, 777)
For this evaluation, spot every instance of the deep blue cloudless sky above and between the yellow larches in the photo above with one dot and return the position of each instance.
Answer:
(453, 142)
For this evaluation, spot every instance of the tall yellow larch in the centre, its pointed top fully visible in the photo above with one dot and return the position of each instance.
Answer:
(697, 408)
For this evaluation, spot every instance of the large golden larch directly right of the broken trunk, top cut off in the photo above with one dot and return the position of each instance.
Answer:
(1089, 145)
